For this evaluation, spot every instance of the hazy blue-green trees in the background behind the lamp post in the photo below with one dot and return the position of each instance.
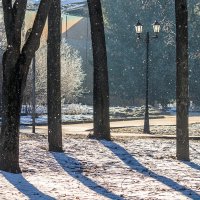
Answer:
(126, 54)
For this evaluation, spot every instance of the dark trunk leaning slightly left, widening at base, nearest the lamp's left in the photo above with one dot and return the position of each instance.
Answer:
(100, 82)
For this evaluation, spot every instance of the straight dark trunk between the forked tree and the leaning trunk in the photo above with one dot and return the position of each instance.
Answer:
(53, 77)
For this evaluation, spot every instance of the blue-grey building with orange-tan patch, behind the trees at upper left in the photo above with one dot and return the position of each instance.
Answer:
(76, 32)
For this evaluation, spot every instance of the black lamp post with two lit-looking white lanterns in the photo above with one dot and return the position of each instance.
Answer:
(156, 29)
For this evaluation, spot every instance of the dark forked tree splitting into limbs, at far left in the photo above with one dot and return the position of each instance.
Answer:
(16, 62)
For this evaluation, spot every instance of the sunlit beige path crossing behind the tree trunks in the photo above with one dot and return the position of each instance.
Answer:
(85, 128)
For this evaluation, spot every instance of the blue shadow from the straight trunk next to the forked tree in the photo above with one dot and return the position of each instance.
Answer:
(75, 169)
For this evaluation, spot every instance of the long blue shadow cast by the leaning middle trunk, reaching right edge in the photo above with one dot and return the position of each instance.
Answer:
(129, 160)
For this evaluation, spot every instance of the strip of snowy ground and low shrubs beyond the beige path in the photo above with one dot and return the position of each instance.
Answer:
(78, 112)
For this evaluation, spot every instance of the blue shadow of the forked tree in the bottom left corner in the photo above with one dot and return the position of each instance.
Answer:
(29, 190)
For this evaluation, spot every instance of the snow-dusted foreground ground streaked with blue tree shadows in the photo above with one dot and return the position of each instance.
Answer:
(97, 170)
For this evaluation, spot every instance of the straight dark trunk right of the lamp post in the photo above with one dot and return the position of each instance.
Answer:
(182, 100)
